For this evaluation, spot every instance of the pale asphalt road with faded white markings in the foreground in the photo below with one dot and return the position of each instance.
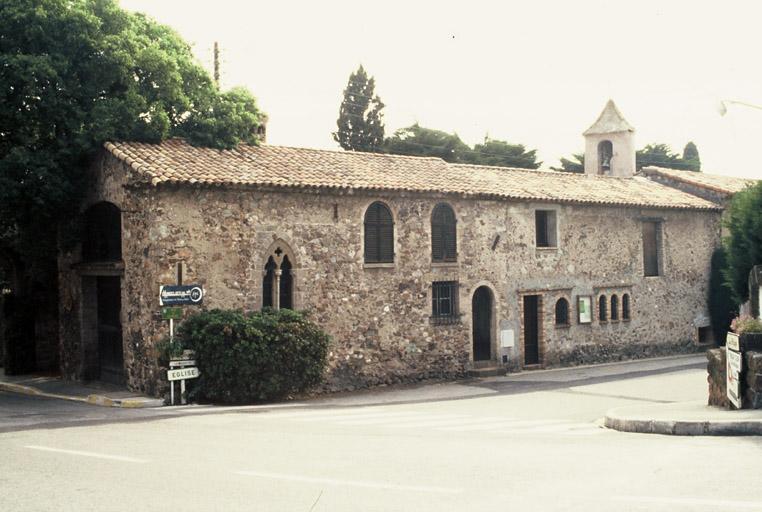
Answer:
(497, 447)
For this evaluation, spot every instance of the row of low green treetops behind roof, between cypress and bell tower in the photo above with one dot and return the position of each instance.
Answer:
(417, 140)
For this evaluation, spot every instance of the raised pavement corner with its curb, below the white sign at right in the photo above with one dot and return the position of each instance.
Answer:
(685, 419)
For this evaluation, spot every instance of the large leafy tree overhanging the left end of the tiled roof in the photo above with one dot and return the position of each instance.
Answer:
(74, 73)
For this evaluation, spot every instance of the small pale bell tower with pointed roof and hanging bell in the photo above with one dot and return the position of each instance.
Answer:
(610, 145)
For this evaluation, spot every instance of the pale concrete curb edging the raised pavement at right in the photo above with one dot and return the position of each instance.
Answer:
(617, 421)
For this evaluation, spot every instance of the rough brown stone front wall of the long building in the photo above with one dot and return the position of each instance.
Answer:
(378, 315)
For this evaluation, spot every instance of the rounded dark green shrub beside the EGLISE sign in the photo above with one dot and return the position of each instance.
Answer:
(251, 357)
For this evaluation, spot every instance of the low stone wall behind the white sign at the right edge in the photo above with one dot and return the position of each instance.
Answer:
(751, 376)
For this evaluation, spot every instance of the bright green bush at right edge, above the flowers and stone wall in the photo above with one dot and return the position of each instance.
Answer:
(743, 245)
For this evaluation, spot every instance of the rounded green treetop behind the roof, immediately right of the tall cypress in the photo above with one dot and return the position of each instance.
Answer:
(416, 140)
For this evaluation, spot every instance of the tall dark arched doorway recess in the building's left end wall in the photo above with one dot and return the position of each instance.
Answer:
(103, 356)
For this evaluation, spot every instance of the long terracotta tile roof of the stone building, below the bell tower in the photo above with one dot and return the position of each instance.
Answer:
(176, 161)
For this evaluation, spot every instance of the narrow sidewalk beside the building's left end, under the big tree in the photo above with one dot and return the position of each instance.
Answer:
(91, 393)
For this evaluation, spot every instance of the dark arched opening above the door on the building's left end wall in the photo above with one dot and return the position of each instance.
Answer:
(103, 233)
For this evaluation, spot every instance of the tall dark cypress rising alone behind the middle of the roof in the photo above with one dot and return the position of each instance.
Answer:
(360, 123)
